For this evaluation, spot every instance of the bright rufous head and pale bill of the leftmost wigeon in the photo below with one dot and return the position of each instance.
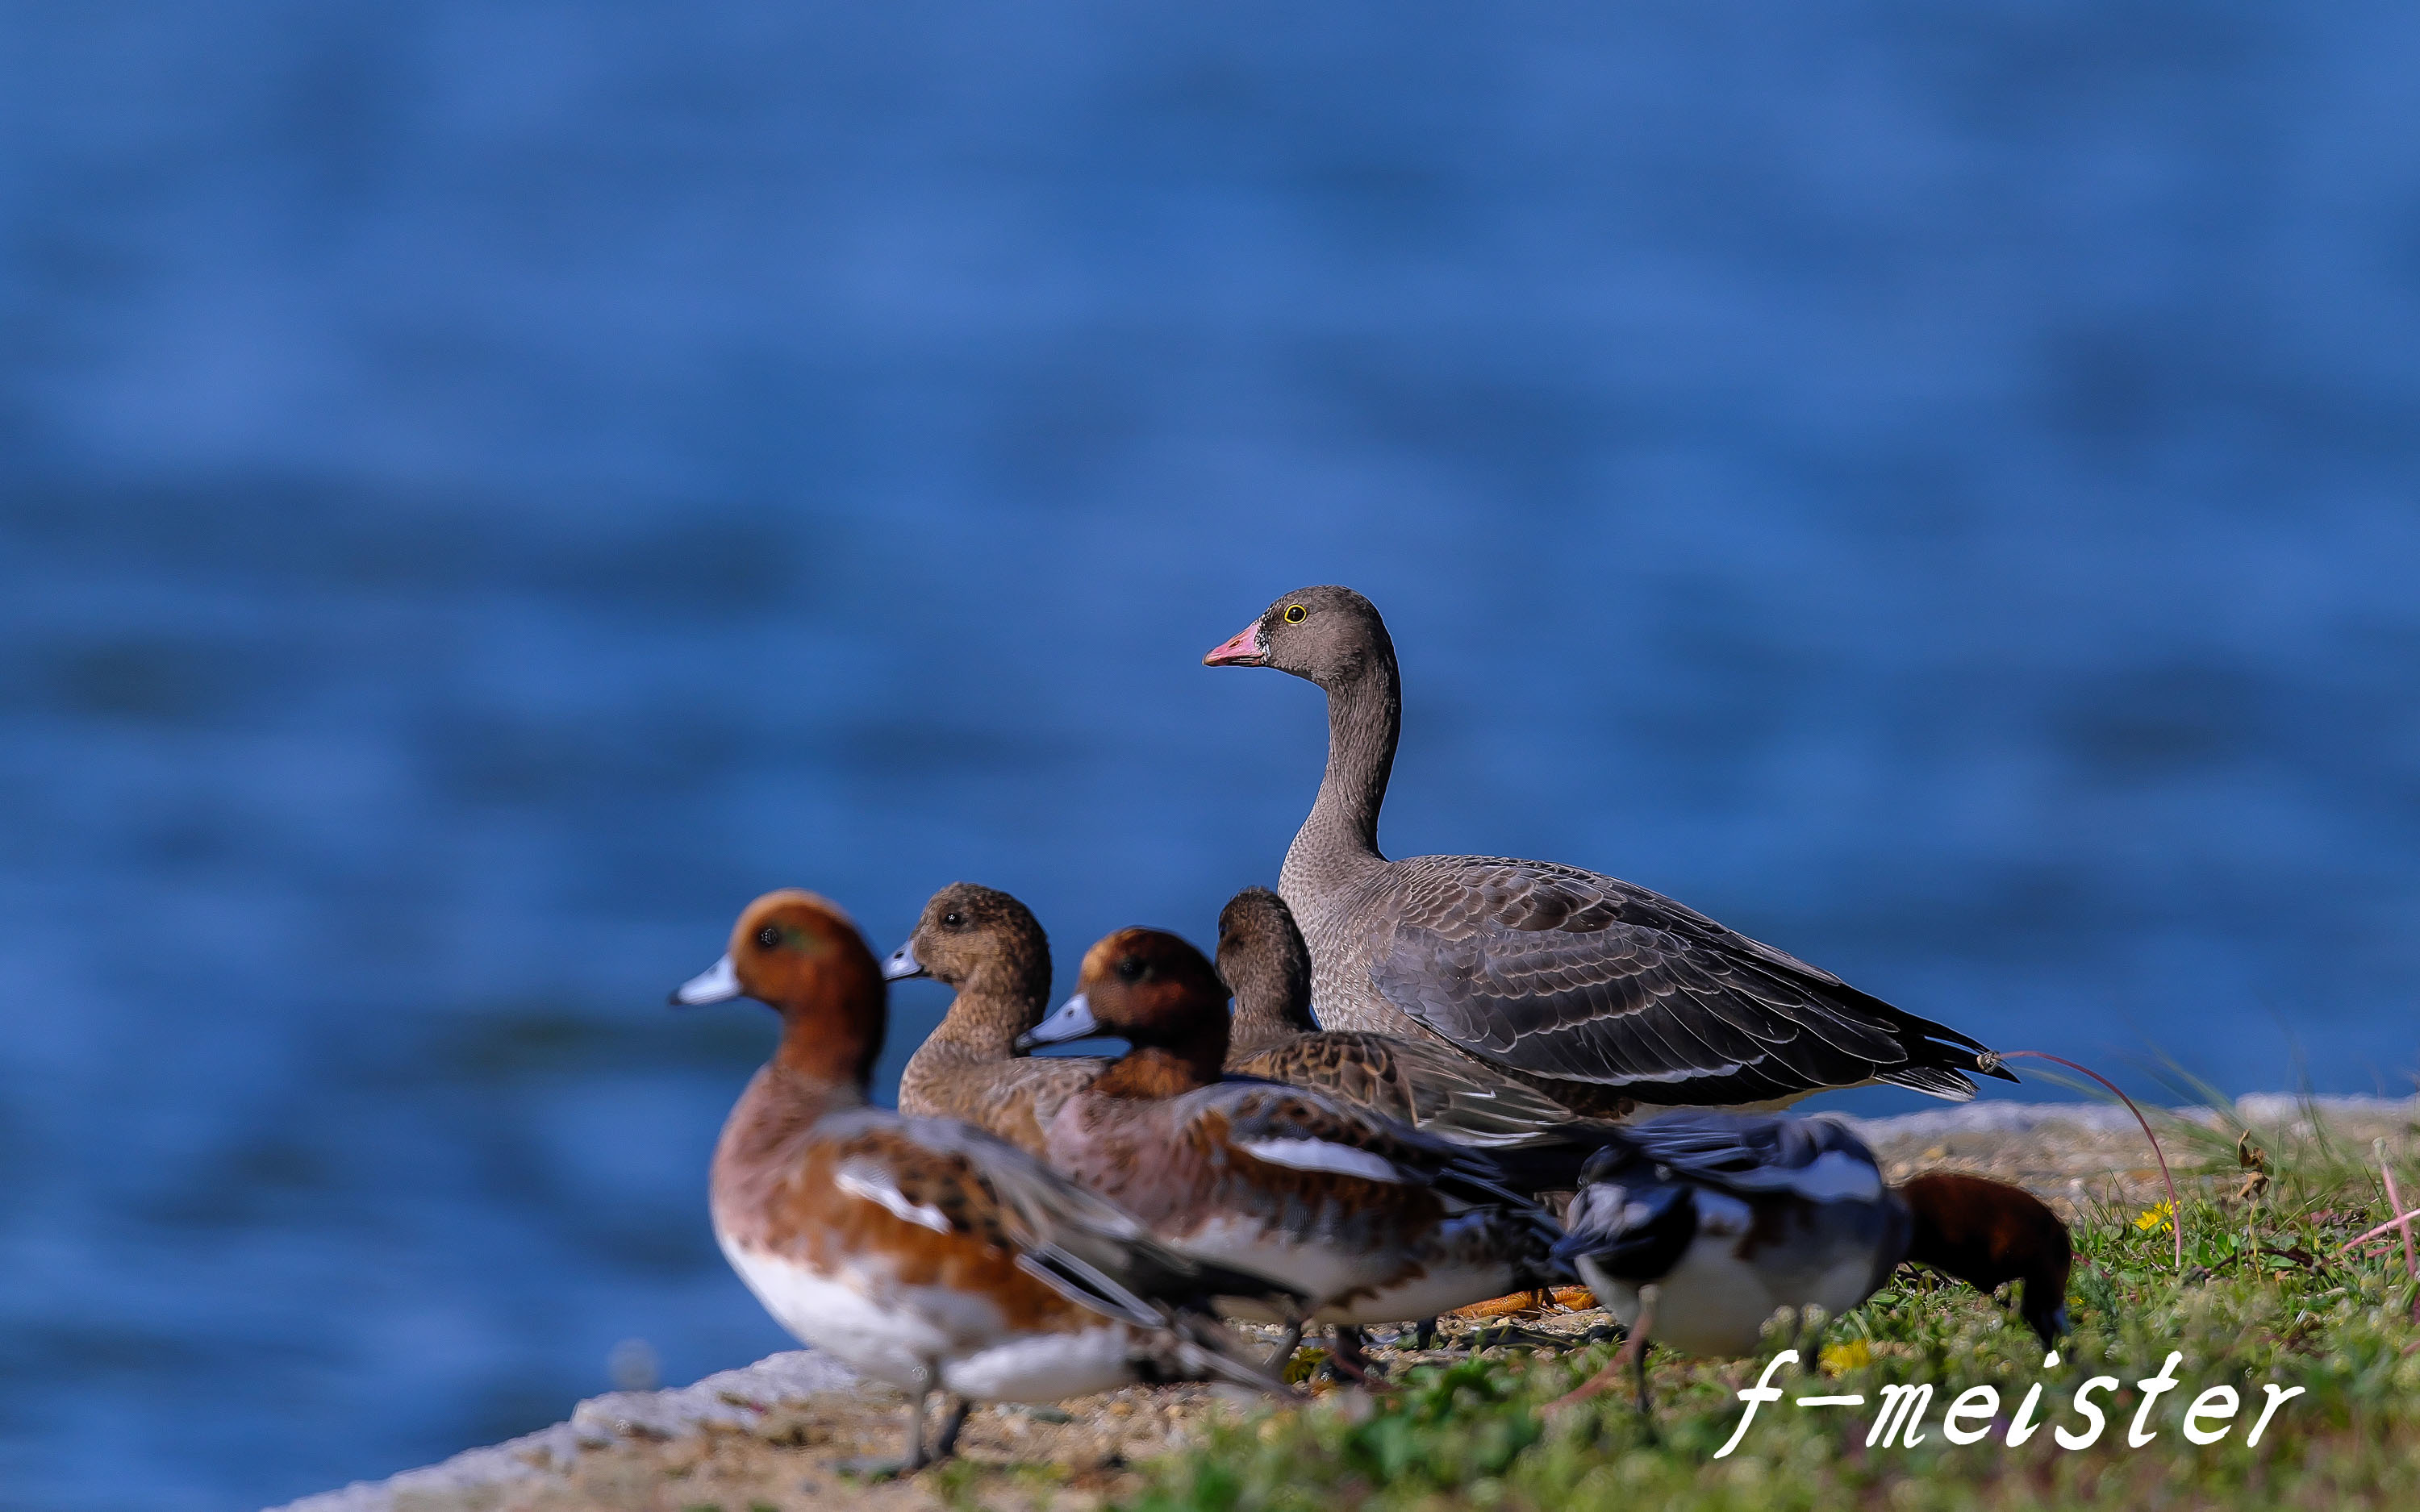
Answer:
(802, 957)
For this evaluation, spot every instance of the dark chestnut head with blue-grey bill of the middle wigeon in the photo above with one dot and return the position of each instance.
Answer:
(1163, 998)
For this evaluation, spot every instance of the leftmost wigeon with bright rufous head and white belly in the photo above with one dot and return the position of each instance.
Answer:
(923, 1252)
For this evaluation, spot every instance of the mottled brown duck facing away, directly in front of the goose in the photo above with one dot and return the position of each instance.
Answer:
(1441, 1092)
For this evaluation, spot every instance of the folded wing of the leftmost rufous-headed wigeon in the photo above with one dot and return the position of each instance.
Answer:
(962, 1182)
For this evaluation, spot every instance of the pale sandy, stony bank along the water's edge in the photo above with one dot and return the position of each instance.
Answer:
(768, 1436)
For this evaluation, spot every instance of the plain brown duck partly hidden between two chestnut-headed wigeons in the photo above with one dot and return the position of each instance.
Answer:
(996, 954)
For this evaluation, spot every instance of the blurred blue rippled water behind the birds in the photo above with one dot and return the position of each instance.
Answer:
(485, 490)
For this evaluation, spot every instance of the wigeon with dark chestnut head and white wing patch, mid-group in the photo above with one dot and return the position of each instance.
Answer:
(1371, 1218)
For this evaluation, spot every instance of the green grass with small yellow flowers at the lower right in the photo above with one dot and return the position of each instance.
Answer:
(2264, 1298)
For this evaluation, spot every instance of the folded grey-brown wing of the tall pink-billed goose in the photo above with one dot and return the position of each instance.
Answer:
(1577, 976)
